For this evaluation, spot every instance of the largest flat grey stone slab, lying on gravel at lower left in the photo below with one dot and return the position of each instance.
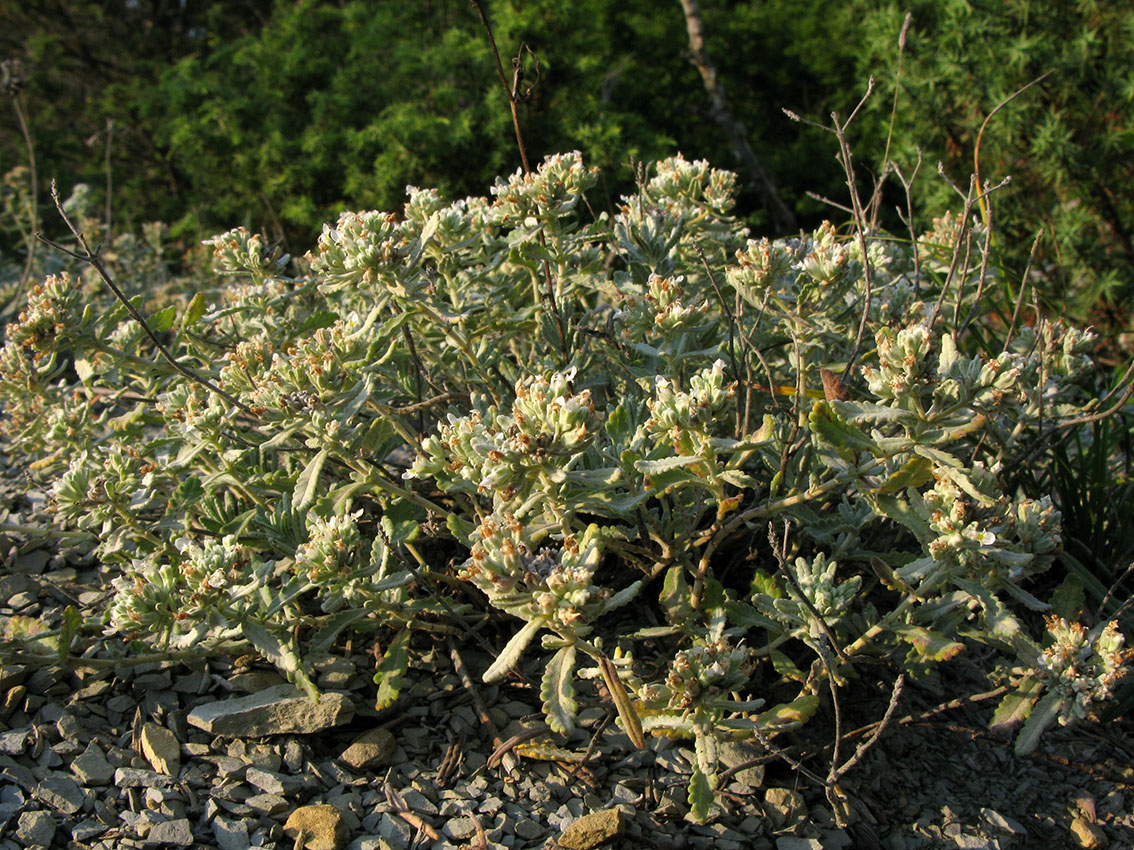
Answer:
(283, 710)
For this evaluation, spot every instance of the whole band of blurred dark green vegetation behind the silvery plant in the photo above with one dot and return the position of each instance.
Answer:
(281, 114)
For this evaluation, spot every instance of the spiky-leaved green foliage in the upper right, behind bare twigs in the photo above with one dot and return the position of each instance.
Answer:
(1068, 142)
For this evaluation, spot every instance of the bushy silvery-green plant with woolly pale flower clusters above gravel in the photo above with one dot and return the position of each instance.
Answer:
(590, 412)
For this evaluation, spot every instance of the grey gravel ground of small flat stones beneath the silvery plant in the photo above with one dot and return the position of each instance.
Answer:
(218, 755)
